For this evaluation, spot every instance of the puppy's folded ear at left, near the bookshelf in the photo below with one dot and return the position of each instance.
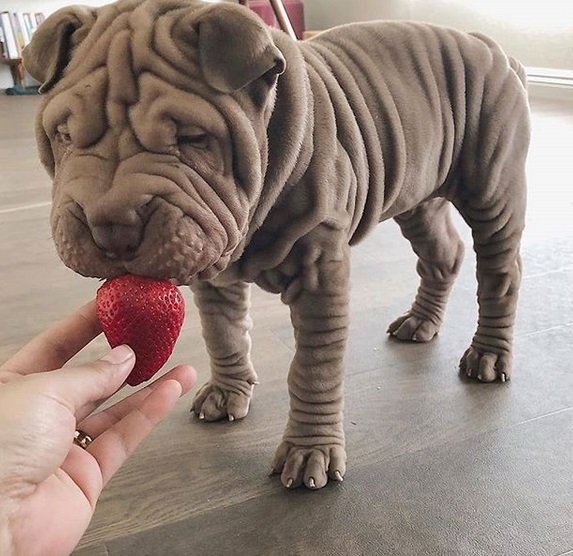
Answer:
(50, 49)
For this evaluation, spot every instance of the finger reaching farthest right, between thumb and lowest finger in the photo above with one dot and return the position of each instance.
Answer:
(94, 425)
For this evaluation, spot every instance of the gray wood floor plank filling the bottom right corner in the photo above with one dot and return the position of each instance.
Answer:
(494, 495)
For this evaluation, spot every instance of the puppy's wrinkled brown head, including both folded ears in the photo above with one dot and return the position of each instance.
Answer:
(154, 132)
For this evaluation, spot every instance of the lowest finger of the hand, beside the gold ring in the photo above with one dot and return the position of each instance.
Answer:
(114, 446)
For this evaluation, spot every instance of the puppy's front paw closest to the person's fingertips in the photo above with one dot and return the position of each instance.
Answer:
(213, 402)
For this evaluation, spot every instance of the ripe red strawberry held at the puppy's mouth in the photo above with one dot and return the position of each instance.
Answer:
(144, 313)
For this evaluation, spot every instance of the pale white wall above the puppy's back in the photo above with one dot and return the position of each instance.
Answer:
(537, 32)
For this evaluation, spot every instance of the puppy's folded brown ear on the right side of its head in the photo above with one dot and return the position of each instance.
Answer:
(236, 48)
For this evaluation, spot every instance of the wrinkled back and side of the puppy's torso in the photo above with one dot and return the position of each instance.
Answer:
(416, 94)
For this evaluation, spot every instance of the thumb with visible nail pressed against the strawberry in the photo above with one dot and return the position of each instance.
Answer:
(86, 384)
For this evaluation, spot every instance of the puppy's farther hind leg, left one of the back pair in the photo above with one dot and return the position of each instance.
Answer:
(440, 251)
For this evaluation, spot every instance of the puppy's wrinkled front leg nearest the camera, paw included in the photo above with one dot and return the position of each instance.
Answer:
(312, 449)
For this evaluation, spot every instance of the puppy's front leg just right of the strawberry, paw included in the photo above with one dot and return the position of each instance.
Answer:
(226, 324)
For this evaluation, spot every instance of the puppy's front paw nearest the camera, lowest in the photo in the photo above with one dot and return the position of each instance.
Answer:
(311, 466)
